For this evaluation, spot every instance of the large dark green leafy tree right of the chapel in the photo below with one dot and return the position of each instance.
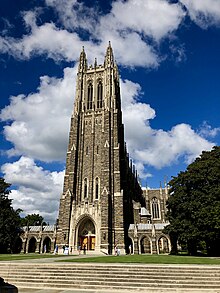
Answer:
(194, 205)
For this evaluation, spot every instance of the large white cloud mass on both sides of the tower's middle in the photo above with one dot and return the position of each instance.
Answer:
(38, 126)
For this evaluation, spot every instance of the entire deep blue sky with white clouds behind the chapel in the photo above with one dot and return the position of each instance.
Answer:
(168, 53)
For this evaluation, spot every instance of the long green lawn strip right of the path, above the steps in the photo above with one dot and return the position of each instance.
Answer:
(149, 259)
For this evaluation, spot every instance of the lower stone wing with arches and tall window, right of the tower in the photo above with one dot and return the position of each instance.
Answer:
(146, 234)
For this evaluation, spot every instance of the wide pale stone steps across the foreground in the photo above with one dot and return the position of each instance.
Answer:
(111, 276)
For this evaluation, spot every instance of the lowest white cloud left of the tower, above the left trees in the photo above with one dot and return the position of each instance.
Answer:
(38, 190)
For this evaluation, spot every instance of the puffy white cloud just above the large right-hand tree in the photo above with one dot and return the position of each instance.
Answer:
(166, 148)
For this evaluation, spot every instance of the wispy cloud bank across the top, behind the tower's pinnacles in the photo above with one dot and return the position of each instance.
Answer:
(129, 25)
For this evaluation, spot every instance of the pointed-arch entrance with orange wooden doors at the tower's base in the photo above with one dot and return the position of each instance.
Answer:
(86, 234)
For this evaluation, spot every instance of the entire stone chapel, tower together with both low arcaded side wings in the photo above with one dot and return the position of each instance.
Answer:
(102, 204)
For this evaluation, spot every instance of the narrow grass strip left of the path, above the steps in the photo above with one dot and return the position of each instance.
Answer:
(10, 257)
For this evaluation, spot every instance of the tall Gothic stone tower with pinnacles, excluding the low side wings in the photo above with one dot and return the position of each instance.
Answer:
(100, 183)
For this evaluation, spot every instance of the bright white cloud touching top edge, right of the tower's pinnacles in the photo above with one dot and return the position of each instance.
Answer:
(155, 18)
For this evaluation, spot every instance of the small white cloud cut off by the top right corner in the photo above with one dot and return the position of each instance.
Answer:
(203, 12)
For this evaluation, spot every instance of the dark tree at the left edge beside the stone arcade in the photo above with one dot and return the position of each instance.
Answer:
(9, 219)
